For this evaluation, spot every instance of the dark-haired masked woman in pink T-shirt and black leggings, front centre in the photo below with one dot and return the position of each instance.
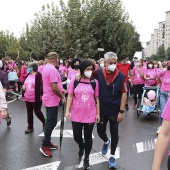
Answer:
(83, 109)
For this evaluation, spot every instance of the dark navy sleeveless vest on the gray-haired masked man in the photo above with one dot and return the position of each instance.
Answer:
(110, 96)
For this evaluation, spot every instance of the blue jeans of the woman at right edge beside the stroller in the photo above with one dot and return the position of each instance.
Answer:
(163, 99)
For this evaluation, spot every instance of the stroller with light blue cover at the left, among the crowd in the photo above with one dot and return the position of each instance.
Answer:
(12, 79)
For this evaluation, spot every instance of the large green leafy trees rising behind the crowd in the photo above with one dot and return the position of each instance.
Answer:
(78, 29)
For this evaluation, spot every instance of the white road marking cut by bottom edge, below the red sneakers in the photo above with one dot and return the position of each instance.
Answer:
(49, 166)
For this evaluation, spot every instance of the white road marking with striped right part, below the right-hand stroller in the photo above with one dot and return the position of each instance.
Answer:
(146, 146)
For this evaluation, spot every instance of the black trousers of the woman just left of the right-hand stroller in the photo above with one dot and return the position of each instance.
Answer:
(137, 89)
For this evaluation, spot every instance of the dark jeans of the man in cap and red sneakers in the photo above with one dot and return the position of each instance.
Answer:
(52, 114)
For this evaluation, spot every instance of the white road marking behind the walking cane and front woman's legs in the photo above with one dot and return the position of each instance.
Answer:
(66, 133)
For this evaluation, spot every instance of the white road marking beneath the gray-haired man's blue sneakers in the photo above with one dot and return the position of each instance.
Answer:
(95, 158)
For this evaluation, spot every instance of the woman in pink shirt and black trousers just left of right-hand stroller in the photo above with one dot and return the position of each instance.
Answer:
(138, 81)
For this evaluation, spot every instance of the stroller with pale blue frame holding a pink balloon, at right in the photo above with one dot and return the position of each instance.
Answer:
(141, 105)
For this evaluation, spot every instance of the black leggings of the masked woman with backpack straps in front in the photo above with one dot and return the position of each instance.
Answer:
(77, 132)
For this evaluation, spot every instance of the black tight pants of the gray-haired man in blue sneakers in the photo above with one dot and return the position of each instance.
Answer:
(101, 129)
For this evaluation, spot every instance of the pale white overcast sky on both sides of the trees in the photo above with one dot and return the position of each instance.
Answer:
(145, 14)
